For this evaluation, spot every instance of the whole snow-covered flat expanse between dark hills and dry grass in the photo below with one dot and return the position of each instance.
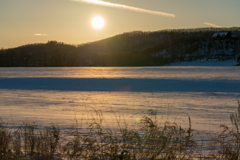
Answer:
(63, 95)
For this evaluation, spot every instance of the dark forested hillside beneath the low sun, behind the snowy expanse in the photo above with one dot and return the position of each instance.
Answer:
(130, 49)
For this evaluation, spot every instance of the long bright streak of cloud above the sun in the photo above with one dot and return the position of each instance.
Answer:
(108, 4)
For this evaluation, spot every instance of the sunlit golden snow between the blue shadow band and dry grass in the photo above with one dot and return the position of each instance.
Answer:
(207, 110)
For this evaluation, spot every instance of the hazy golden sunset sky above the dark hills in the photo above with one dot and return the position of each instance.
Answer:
(70, 21)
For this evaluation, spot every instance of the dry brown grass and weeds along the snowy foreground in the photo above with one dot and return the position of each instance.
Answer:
(152, 140)
